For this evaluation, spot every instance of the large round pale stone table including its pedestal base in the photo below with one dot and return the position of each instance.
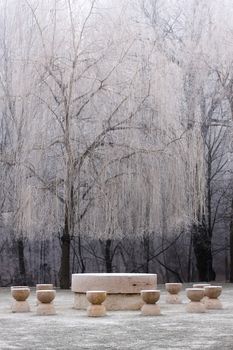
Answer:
(123, 289)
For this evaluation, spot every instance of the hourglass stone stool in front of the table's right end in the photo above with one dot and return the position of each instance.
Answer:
(150, 297)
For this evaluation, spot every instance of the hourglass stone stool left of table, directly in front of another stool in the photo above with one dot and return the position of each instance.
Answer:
(45, 306)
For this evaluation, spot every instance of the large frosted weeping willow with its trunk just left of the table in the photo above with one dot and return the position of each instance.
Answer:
(107, 151)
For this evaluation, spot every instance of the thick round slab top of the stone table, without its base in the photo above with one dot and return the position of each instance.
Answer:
(113, 283)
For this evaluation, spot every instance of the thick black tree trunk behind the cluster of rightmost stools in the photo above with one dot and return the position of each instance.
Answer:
(203, 252)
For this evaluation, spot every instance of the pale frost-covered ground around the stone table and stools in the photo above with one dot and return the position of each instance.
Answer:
(71, 329)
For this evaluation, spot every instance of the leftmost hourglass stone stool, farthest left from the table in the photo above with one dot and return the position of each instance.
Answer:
(20, 294)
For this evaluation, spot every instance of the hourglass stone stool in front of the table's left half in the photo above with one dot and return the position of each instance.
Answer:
(96, 298)
